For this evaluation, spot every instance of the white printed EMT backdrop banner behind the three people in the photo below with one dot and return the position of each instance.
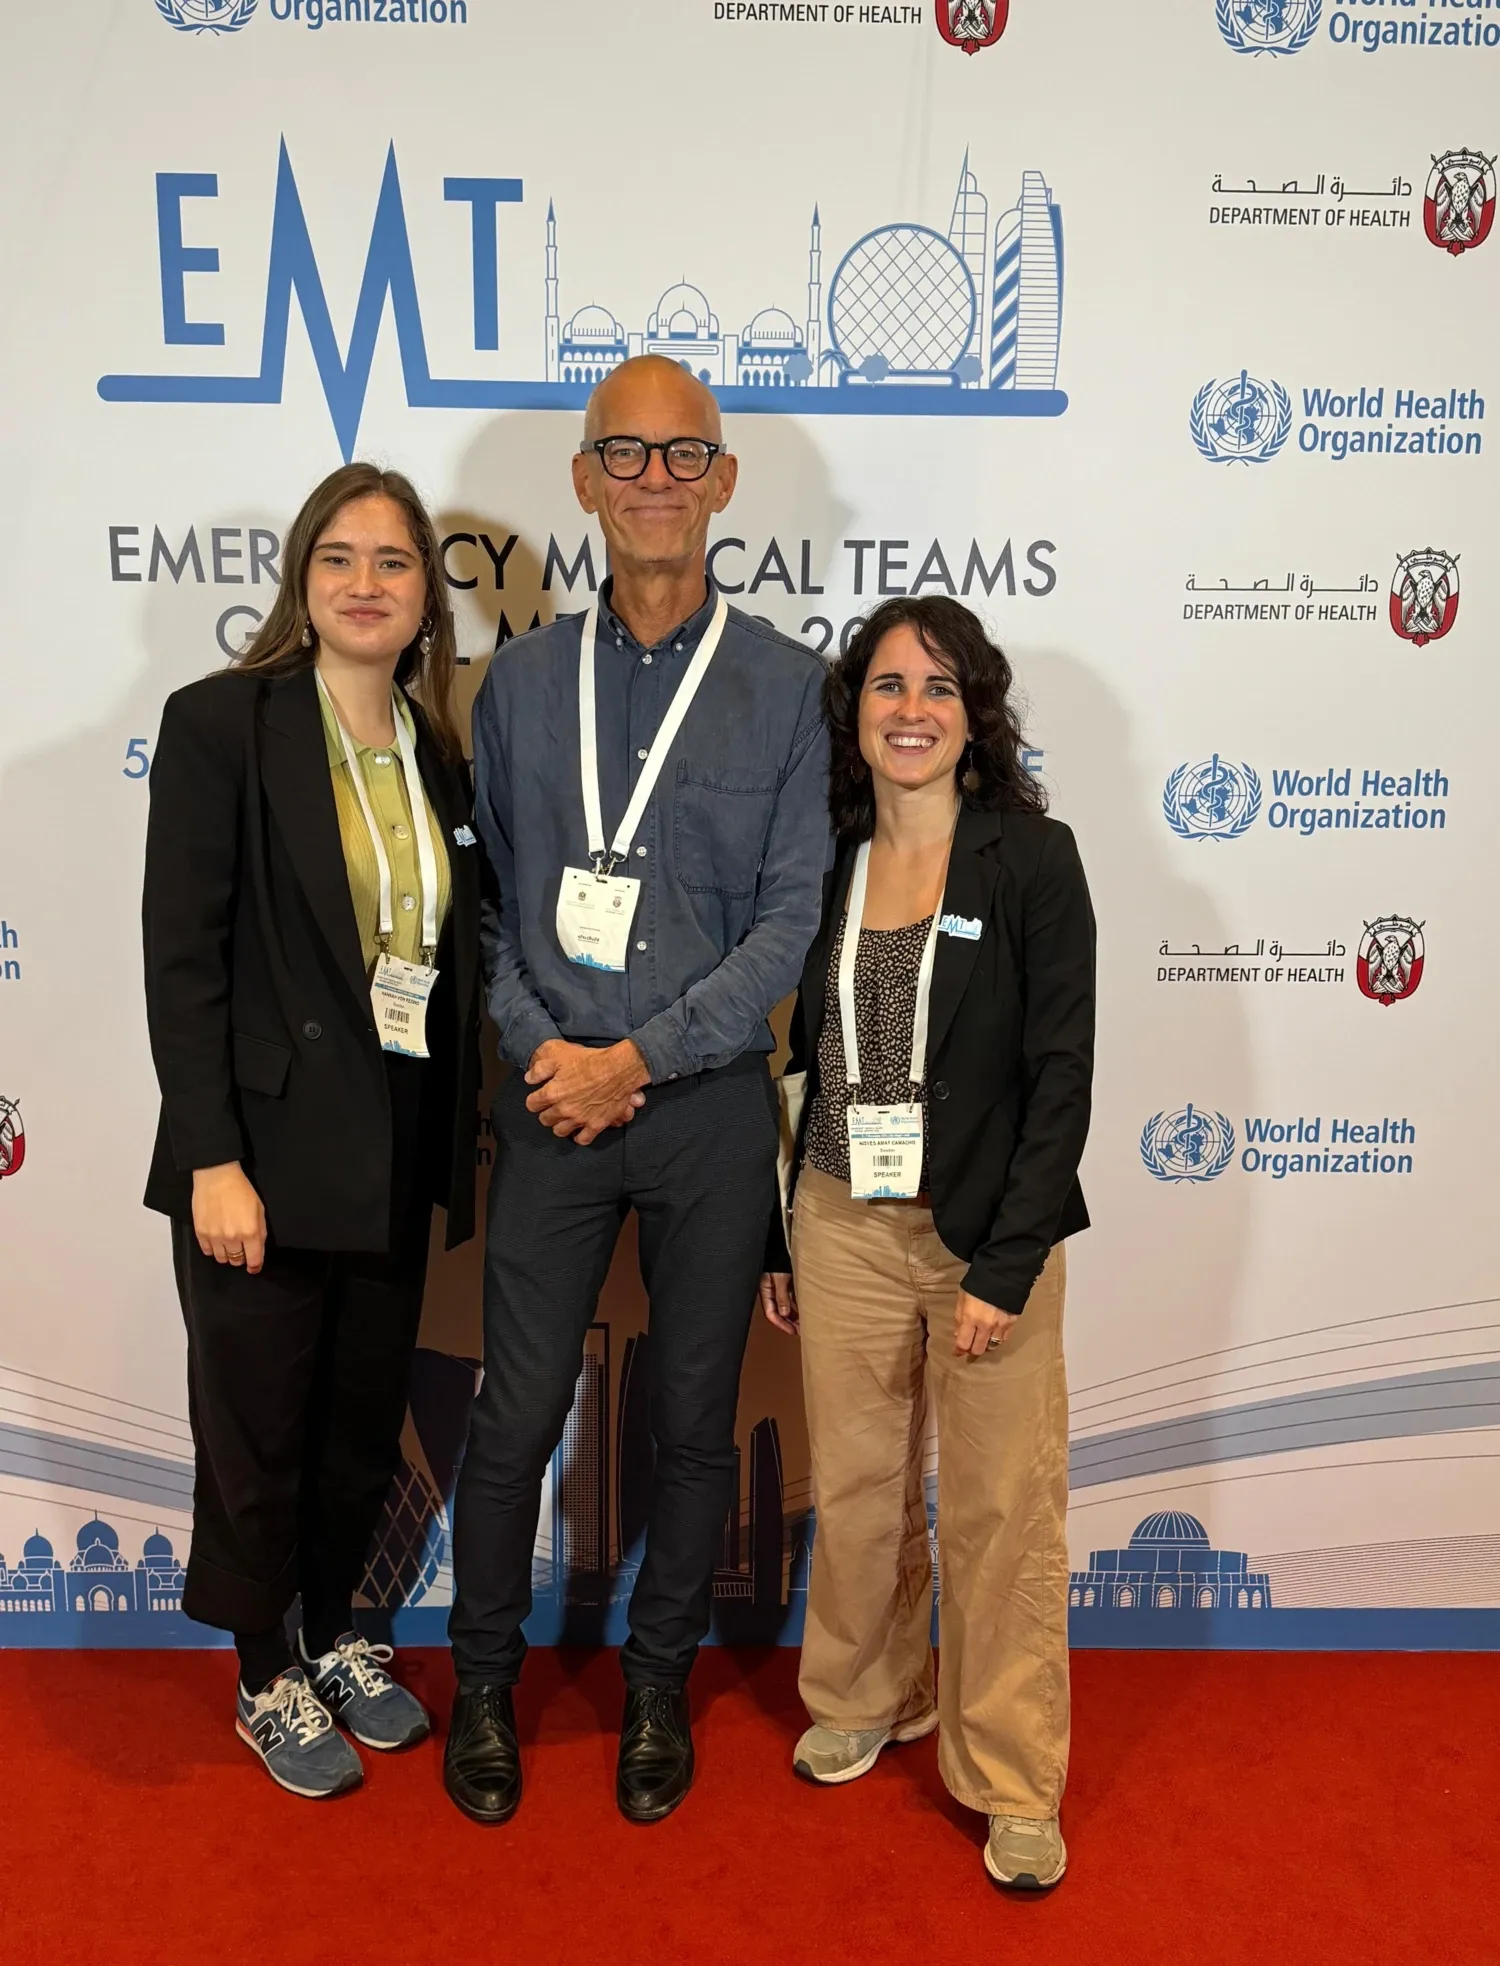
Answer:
(1161, 335)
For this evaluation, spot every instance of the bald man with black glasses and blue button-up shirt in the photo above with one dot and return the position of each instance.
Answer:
(652, 789)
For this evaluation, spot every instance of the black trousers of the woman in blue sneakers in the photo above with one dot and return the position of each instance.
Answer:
(298, 1395)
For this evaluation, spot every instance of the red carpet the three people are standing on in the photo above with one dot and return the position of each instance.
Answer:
(1224, 1810)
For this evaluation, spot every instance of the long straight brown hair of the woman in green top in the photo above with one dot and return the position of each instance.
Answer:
(278, 646)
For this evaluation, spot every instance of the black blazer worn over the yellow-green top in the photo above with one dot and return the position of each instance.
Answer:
(257, 994)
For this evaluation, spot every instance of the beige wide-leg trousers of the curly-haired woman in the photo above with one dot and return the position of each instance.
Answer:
(876, 1293)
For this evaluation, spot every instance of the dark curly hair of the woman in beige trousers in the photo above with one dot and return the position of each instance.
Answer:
(990, 774)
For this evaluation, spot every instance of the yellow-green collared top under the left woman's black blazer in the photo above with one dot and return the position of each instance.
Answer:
(386, 783)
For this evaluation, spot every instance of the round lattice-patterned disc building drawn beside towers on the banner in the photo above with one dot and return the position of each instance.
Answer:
(903, 306)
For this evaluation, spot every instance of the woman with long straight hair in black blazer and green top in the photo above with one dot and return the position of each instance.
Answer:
(312, 958)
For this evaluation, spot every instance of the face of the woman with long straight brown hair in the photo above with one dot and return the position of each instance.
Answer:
(367, 589)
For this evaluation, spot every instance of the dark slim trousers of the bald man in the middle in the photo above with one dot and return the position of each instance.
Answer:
(699, 1167)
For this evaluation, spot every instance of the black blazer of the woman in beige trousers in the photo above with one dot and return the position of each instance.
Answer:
(1010, 1047)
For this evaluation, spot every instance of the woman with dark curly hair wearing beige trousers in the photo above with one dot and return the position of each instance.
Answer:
(947, 1031)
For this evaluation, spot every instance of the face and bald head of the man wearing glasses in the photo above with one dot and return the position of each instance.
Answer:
(656, 520)
